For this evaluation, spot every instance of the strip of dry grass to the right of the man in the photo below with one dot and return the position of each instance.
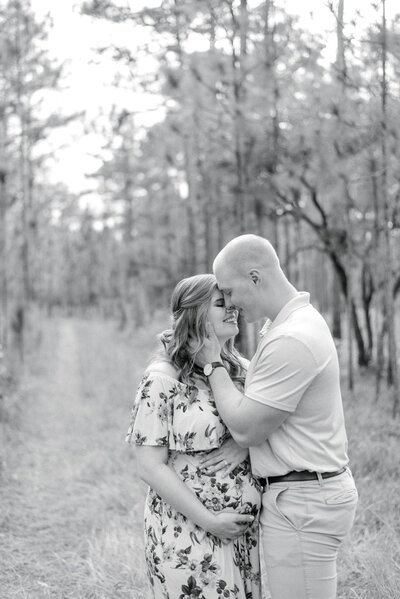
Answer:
(370, 561)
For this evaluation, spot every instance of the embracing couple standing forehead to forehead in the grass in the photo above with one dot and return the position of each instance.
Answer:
(232, 450)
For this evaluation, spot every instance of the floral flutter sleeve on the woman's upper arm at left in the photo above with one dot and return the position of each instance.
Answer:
(150, 422)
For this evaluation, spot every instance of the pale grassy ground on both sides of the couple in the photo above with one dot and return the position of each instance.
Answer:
(70, 500)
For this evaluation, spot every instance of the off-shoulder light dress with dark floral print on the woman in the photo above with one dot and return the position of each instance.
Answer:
(183, 560)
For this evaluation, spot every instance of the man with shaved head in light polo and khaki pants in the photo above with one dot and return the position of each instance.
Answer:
(291, 417)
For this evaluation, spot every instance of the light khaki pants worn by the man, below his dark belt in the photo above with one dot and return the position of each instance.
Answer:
(302, 526)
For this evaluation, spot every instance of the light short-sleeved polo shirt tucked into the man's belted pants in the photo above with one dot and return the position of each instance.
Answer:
(296, 369)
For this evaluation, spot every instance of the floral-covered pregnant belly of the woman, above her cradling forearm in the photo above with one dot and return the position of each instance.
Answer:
(238, 491)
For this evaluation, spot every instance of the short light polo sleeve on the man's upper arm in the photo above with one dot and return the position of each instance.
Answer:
(283, 372)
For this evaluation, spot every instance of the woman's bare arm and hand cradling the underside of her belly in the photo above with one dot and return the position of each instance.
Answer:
(154, 470)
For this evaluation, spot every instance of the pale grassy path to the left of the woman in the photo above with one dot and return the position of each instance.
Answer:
(70, 520)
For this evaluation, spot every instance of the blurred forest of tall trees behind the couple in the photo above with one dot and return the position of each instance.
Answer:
(268, 128)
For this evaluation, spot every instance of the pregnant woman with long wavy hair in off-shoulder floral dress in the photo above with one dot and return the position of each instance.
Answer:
(201, 522)
